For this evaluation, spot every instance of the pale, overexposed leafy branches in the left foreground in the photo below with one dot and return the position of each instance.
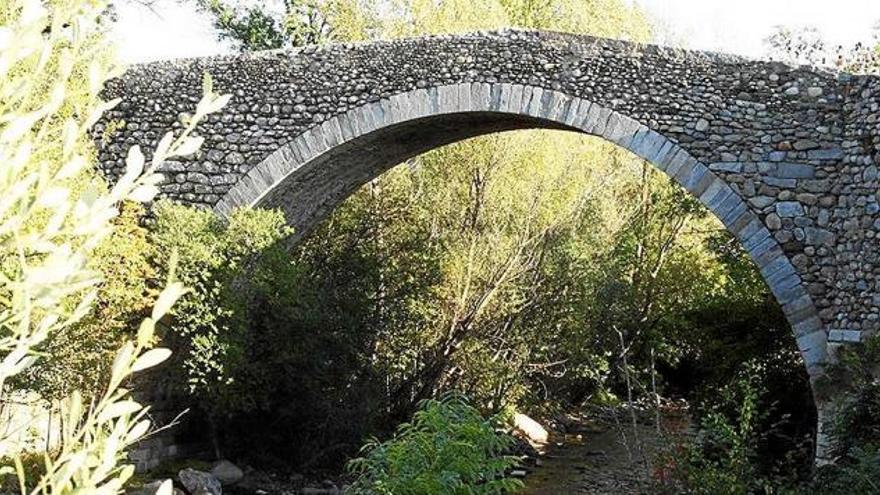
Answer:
(50, 223)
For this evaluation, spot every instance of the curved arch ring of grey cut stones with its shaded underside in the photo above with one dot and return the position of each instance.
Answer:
(318, 169)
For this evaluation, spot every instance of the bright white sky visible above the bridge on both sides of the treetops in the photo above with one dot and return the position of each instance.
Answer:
(174, 29)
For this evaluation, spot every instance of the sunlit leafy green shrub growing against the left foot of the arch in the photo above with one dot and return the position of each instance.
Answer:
(210, 323)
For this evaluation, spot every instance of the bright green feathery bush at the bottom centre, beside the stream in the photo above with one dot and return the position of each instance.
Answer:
(448, 448)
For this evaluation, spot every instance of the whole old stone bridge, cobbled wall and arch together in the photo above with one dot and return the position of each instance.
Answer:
(785, 157)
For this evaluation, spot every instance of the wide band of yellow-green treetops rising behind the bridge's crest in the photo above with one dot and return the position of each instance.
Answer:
(257, 26)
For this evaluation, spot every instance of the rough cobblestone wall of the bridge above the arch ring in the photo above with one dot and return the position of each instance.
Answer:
(798, 145)
